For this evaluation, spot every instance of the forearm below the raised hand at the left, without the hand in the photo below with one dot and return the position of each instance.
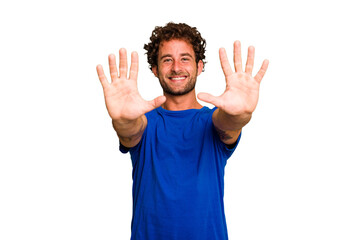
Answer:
(130, 132)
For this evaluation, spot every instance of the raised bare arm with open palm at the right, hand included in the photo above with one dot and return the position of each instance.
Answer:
(238, 102)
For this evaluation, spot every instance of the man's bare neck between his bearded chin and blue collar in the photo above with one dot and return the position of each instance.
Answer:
(182, 102)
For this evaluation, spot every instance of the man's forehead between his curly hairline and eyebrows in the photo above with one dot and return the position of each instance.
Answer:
(175, 47)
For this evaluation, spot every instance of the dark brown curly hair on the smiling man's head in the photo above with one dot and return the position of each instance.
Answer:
(175, 31)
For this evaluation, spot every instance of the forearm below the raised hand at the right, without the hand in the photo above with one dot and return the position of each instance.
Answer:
(229, 126)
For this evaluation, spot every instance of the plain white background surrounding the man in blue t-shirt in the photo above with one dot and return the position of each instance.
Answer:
(295, 174)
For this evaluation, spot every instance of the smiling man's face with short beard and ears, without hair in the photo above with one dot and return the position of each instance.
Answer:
(177, 69)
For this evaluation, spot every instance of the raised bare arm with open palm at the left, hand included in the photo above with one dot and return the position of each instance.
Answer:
(124, 104)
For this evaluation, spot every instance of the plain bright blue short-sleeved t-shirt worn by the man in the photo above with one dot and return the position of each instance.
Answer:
(178, 177)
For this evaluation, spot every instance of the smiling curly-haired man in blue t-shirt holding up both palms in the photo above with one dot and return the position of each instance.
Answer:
(178, 147)
